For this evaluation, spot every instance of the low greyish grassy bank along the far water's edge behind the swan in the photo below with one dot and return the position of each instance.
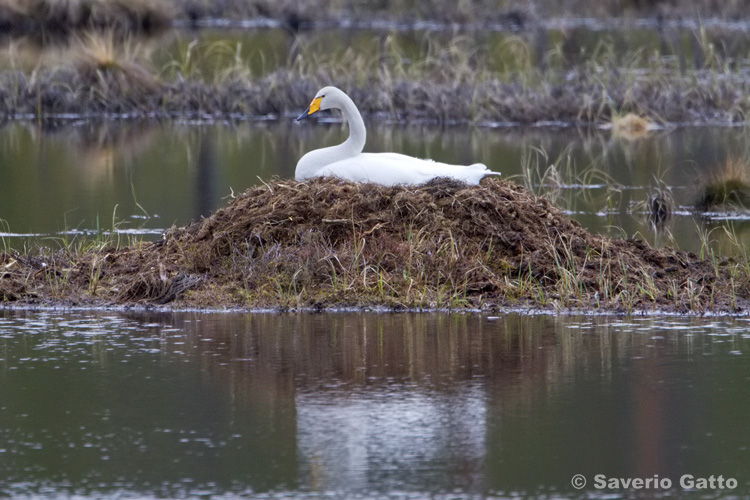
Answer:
(583, 99)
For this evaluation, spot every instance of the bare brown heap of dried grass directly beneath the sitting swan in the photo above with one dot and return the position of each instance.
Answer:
(497, 217)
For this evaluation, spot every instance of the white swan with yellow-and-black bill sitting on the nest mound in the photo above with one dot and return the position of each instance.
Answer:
(347, 161)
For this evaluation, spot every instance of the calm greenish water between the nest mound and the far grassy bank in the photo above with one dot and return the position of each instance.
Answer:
(133, 177)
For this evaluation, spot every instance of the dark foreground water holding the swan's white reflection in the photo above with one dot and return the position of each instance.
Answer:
(188, 405)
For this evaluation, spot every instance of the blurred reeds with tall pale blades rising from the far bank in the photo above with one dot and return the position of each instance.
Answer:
(455, 81)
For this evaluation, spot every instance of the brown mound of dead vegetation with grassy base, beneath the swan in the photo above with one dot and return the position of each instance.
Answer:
(330, 243)
